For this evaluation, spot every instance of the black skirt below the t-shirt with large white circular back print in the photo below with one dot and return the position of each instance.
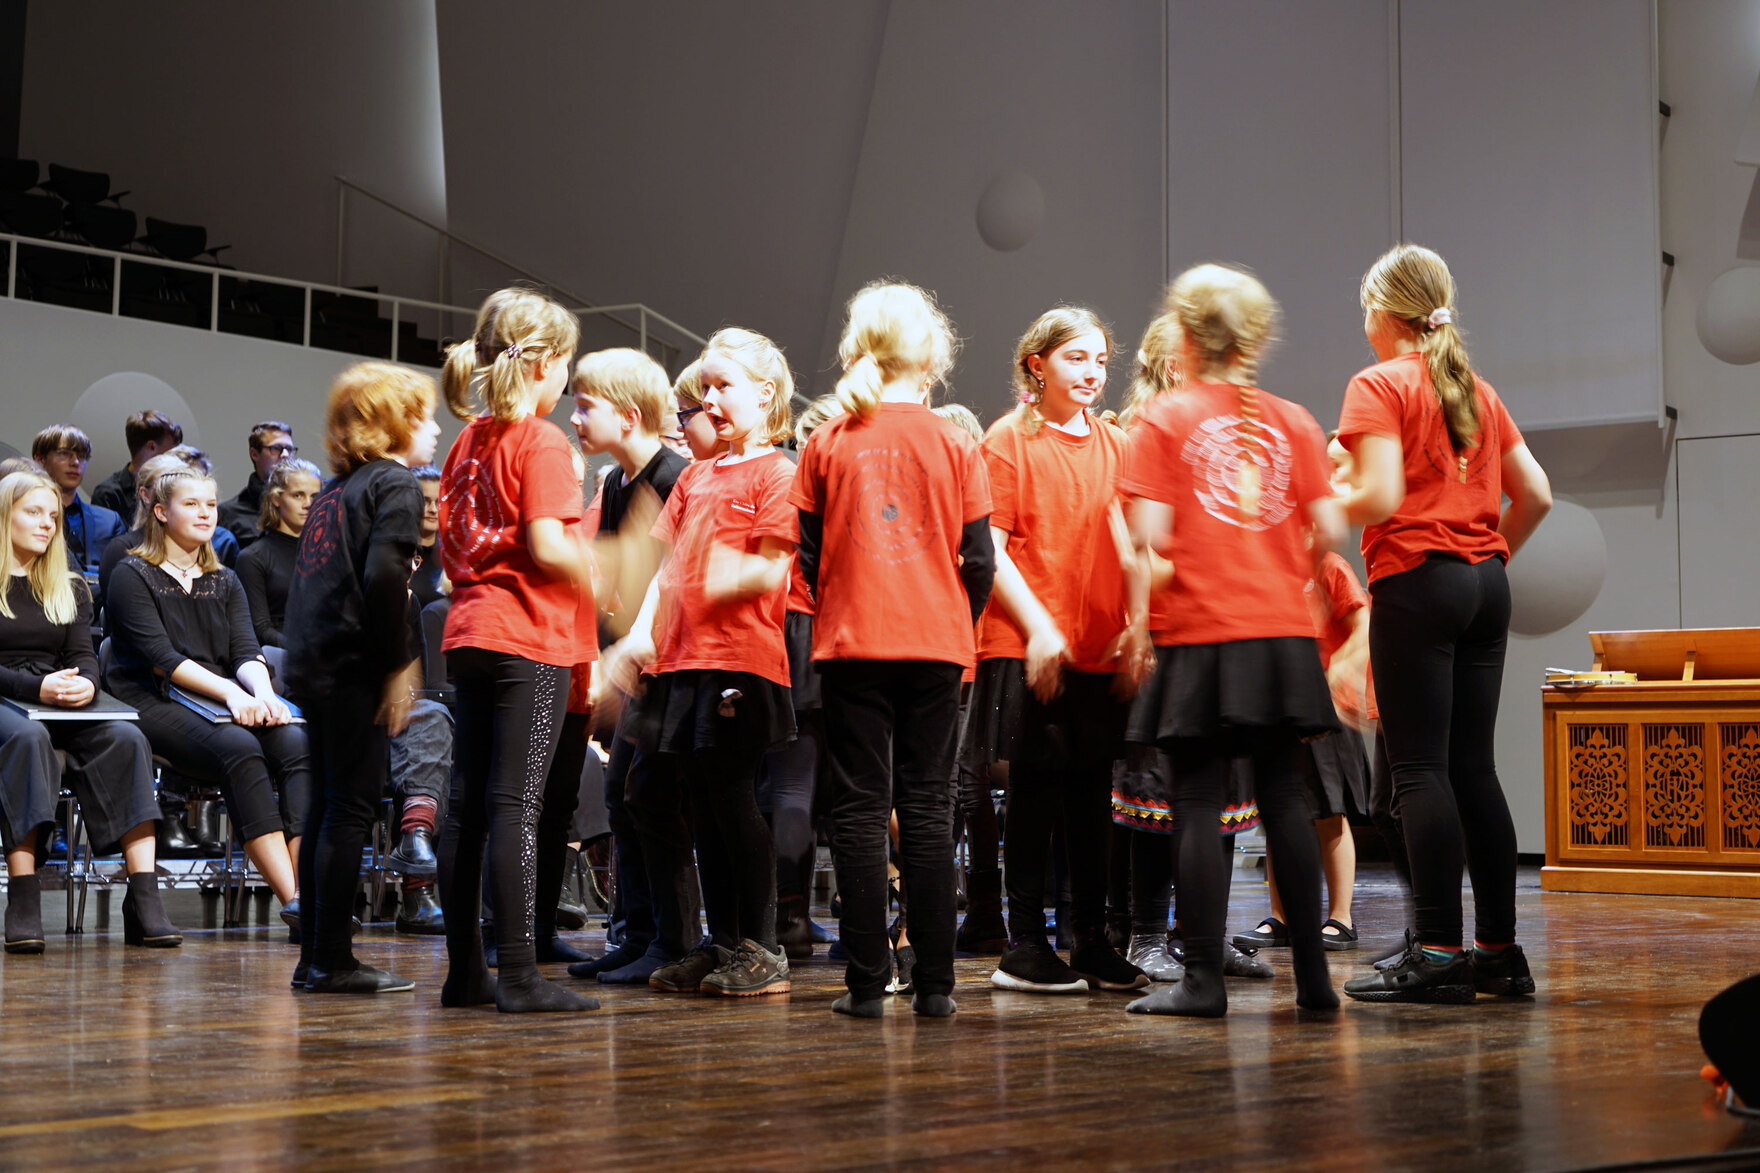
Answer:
(1201, 690)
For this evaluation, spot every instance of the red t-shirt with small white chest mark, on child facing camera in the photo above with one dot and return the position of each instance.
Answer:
(738, 506)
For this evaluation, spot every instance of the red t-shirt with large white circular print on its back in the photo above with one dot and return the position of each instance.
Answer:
(1238, 570)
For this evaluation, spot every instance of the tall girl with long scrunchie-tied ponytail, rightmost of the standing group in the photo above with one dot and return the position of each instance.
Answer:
(1435, 457)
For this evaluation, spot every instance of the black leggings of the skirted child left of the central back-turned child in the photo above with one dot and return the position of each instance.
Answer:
(722, 795)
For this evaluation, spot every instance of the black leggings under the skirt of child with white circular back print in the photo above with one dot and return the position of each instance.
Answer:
(1201, 779)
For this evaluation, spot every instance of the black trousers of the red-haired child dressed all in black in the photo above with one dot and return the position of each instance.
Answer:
(351, 762)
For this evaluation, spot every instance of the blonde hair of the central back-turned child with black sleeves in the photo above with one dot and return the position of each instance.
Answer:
(891, 330)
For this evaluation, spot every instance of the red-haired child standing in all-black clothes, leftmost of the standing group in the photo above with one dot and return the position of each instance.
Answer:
(349, 654)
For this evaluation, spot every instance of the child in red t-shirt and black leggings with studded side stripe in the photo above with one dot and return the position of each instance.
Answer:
(508, 499)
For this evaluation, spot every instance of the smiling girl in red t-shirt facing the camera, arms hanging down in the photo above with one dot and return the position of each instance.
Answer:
(1048, 697)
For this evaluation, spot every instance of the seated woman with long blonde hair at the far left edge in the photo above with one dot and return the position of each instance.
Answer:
(47, 660)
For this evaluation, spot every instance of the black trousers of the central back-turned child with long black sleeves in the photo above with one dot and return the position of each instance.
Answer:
(891, 732)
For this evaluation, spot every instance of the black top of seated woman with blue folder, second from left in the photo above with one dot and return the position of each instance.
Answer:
(156, 626)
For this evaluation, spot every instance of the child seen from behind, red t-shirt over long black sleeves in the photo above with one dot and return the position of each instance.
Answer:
(895, 543)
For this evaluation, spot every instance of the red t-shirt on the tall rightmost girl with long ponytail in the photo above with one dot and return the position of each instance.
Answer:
(1451, 506)
